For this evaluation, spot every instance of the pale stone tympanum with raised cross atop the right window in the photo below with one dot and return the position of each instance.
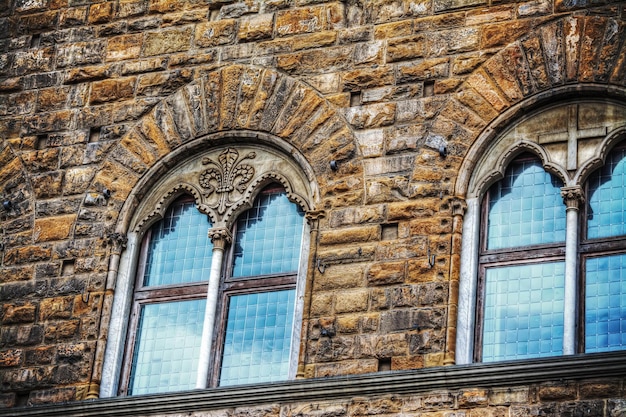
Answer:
(570, 138)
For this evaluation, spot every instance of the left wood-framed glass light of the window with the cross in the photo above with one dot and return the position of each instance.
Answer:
(522, 265)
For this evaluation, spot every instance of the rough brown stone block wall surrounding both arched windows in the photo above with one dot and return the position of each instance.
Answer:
(95, 94)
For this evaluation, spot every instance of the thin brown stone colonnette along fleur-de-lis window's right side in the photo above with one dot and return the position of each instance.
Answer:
(313, 218)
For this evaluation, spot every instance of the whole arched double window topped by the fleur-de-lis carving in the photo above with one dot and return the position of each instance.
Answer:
(210, 288)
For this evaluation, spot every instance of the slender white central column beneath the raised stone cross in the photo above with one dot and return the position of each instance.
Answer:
(573, 198)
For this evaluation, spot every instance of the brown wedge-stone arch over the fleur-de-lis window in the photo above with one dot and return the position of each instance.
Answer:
(230, 104)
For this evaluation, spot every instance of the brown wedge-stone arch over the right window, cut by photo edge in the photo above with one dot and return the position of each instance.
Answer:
(561, 59)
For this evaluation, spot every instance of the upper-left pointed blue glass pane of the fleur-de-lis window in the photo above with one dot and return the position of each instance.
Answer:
(180, 249)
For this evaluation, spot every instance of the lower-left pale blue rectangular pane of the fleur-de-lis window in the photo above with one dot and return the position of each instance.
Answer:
(167, 347)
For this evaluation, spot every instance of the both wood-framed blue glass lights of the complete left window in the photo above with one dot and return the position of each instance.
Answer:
(257, 293)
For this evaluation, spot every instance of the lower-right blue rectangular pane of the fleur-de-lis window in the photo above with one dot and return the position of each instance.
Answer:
(257, 346)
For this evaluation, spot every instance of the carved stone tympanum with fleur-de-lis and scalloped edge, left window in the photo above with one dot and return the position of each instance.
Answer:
(224, 182)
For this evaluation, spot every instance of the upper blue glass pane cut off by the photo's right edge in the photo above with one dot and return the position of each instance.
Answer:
(607, 202)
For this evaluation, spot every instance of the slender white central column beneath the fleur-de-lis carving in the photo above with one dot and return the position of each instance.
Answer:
(220, 237)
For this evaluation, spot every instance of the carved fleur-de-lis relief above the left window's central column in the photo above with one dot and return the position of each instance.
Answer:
(225, 176)
